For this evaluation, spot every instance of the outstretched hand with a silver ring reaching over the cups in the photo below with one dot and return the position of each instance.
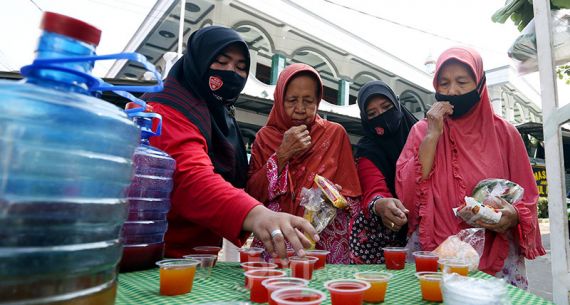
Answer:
(274, 228)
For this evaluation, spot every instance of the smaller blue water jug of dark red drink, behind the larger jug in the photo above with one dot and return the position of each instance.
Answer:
(148, 196)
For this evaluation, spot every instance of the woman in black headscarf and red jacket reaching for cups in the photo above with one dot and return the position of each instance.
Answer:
(202, 135)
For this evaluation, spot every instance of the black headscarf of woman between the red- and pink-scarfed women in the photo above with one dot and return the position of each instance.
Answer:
(382, 150)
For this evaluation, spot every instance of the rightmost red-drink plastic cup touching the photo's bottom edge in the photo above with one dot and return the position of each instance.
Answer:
(347, 291)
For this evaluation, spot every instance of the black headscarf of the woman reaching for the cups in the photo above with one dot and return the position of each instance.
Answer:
(186, 90)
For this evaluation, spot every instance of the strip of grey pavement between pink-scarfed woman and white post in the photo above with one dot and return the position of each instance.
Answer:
(539, 271)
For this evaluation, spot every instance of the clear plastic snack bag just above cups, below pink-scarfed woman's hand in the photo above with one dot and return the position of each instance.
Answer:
(466, 245)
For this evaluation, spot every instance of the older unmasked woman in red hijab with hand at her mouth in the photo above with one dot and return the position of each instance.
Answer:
(297, 144)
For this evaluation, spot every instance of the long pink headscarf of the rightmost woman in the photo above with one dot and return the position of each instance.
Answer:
(474, 147)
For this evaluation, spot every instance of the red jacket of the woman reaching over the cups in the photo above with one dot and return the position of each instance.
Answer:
(204, 207)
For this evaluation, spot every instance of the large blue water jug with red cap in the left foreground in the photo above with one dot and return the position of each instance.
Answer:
(65, 163)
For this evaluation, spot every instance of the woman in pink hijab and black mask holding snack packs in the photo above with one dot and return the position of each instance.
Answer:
(460, 143)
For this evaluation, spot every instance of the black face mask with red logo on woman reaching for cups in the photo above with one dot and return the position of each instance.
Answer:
(225, 85)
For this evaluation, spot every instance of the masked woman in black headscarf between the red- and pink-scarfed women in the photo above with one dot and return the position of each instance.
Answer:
(386, 125)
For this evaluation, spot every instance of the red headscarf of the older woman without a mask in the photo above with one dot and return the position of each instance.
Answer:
(330, 154)
